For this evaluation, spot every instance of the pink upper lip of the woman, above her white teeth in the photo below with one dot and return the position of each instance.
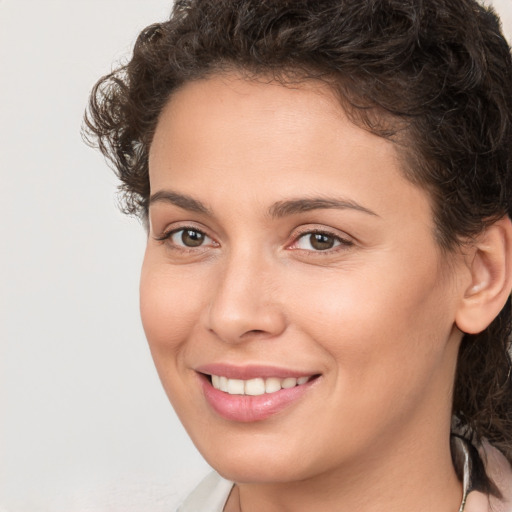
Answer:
(251, 371)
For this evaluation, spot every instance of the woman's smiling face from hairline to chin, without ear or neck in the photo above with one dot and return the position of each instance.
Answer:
(292, 292)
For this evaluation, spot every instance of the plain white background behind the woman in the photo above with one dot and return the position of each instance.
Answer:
(84, 424)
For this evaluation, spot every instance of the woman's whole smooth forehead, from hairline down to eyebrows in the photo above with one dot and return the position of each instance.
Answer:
(272, 141)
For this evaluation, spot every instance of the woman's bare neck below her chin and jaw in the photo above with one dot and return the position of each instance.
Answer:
(418, 476)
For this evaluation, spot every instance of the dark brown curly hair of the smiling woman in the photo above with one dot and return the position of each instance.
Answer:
(434, 76)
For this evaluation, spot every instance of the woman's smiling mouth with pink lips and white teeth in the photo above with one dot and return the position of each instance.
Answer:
(255, 398)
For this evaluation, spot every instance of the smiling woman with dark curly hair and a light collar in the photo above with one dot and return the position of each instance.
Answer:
(325, 290)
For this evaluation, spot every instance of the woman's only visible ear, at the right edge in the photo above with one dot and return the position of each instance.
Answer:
(490, 278)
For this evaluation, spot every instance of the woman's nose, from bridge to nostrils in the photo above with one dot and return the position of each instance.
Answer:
(244, 305)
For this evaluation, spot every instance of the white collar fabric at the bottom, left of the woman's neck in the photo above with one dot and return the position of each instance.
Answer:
(210, 495)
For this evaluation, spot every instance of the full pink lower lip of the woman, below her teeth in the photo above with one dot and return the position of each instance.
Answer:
(245, 408)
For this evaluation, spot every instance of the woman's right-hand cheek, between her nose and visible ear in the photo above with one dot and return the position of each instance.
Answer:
(377, 324)
